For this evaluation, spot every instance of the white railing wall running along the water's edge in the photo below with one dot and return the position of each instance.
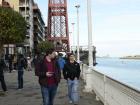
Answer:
(109, 90)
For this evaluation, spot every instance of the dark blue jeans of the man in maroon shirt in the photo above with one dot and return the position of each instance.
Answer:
(48, 94)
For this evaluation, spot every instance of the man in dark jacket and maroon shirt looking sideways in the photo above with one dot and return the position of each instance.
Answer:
(49, 76)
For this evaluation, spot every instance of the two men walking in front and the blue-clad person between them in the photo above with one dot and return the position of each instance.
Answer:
(49, 70)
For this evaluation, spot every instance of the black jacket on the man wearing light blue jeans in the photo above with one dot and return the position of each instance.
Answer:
(71, 70)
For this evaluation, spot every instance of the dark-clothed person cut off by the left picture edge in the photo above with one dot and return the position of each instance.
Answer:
(2, 66)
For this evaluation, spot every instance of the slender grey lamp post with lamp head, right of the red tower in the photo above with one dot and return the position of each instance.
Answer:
(78, 55)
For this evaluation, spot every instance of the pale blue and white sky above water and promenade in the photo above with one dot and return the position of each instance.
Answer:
(116, 25)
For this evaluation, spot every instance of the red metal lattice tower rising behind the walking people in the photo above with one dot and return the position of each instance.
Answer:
(58, 24)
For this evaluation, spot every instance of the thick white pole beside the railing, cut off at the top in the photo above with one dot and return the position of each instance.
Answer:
(90, 33)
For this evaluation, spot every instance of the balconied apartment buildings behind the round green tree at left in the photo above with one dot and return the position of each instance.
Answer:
(30, 11)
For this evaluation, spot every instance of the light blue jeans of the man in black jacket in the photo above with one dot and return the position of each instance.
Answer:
(73, 90)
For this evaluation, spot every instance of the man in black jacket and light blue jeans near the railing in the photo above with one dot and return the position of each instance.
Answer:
(71, 73)
